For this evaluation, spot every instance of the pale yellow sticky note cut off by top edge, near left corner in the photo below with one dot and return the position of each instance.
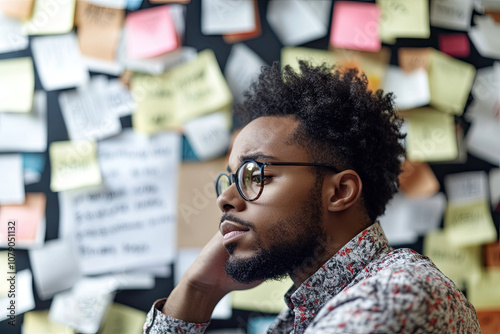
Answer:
(51, 17)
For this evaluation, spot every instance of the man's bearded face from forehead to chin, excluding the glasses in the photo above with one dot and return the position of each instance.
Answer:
(279, 232)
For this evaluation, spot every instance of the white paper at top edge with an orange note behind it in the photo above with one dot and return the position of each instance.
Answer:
(226, 16)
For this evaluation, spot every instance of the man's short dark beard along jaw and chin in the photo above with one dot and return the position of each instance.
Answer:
(296, 243)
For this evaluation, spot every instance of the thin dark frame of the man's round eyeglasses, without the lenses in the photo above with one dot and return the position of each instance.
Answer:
(234, 179)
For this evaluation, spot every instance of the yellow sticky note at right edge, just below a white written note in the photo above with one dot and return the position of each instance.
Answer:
(469, 224)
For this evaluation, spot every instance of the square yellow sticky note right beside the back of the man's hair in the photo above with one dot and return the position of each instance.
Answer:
(431, 135)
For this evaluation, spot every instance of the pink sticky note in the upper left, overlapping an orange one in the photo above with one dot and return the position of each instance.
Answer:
(150, 32)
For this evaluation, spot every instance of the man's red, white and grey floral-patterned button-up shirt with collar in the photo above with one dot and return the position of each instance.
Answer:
(366, 287)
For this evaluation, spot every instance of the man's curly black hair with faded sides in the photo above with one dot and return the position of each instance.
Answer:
(341, 122)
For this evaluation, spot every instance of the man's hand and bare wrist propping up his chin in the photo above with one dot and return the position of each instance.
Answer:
(203, 285)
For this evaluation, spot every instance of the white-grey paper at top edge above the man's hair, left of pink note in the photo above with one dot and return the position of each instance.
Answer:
(297, 21)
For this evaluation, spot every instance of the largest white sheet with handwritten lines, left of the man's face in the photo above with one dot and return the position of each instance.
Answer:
(123, 226)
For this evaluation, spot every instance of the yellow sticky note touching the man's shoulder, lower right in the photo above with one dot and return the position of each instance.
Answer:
(460, 264)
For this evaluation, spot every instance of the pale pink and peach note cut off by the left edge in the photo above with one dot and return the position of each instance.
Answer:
(27, 219)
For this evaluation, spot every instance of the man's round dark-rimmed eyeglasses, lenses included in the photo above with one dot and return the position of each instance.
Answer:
(249, 177)
